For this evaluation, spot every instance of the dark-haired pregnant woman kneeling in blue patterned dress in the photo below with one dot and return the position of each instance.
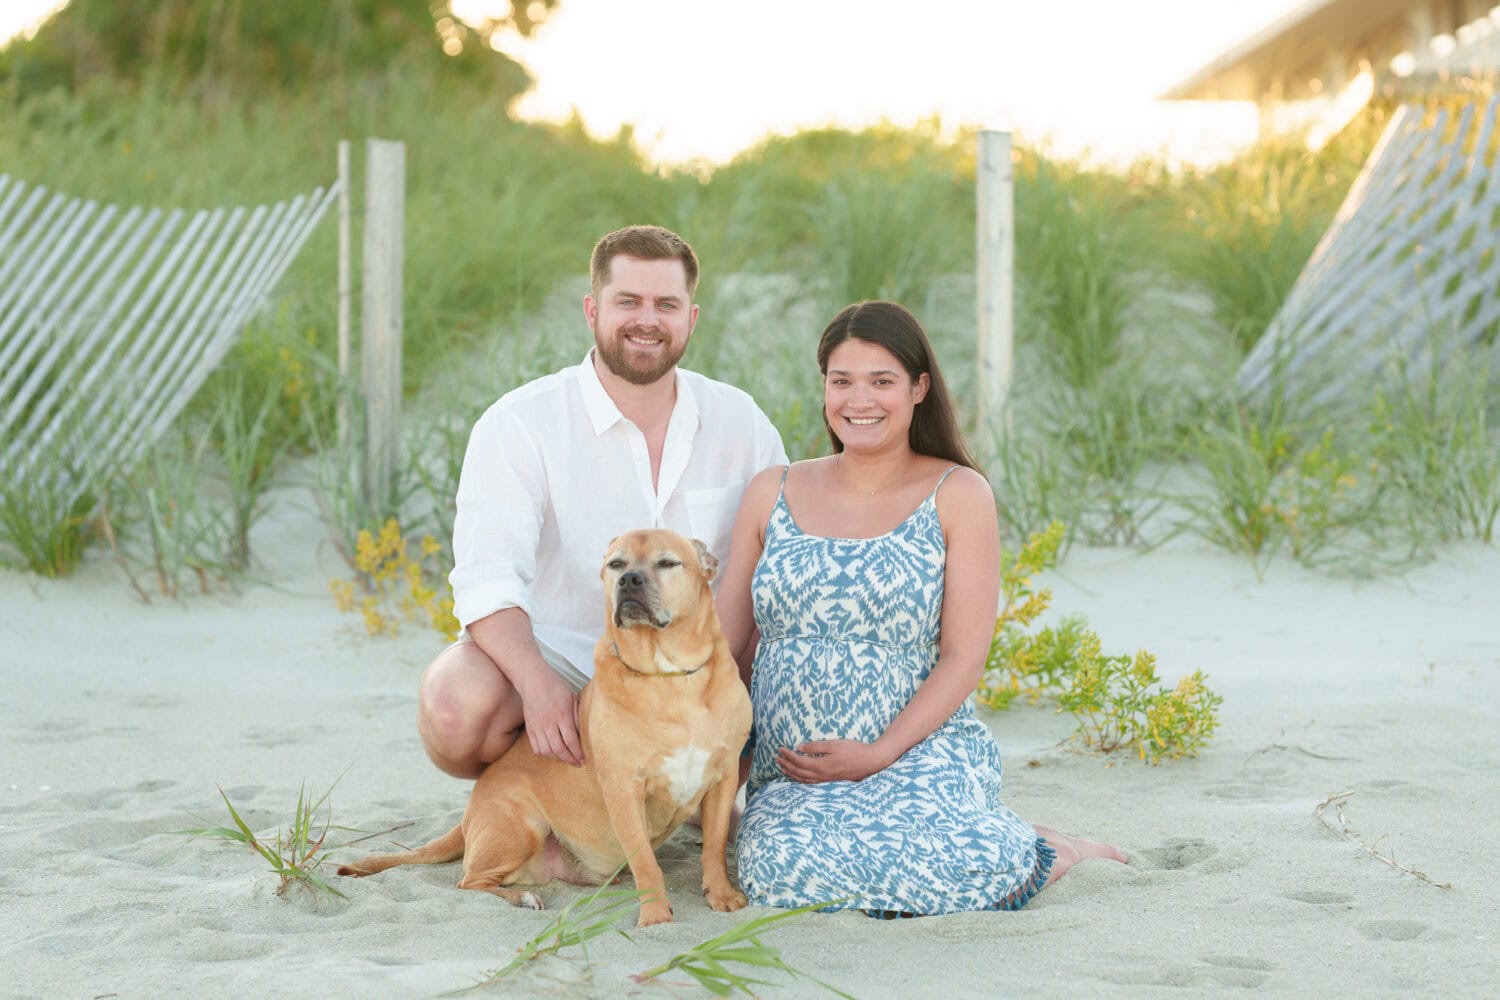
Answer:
(866, 585)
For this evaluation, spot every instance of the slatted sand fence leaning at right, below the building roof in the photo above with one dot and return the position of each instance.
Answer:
(1406, 272)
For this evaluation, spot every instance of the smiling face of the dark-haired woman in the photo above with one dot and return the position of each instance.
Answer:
(868, 395)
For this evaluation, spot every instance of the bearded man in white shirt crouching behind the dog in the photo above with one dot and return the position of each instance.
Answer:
(554, 472)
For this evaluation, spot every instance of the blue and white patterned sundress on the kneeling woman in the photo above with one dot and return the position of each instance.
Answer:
(848, 632)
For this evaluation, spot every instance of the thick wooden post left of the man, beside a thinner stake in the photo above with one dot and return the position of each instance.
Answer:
(382, 317)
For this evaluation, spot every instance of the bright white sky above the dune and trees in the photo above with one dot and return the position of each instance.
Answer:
(706, 79)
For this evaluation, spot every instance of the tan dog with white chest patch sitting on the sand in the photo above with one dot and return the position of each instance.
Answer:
(662, 722)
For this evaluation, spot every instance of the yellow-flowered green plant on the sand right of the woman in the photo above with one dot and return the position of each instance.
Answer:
(1115, 699)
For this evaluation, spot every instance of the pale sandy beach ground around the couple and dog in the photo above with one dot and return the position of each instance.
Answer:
(119, 719)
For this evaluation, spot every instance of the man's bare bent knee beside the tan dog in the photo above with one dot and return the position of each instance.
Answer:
(469, 714)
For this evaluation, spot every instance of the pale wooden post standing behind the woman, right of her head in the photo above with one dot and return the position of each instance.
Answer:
(995, 190)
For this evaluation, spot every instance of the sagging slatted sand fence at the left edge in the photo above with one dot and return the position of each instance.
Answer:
(112, 319)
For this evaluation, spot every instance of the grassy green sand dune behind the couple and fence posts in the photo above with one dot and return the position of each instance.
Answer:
(1138, 293)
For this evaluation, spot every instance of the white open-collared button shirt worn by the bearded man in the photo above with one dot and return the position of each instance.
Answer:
(554, 472)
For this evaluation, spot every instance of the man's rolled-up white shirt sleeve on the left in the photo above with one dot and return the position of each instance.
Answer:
(502, 503)
